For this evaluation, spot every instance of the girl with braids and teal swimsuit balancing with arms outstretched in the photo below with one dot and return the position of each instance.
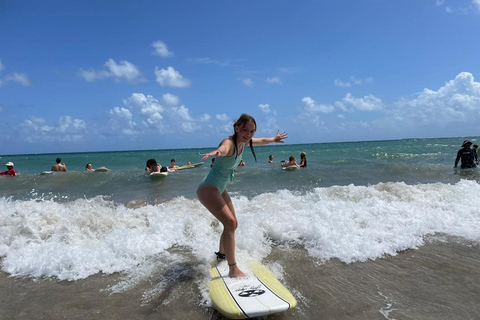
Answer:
(212, 191)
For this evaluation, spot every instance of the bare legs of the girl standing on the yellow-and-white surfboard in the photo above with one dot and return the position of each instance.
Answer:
(216, 204)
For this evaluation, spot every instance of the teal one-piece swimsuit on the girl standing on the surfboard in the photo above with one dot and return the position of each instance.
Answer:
(222, 171)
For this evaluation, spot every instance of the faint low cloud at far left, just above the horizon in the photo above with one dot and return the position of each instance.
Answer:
(67, 130)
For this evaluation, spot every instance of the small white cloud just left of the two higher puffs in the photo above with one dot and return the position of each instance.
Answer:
(119, 71)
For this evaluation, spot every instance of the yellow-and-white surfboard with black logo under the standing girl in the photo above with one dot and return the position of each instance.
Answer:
(257, 295)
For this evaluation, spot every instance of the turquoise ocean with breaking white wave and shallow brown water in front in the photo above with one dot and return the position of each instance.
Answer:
(369, 230)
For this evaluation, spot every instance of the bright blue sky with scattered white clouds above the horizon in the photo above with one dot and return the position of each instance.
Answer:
(81, 76)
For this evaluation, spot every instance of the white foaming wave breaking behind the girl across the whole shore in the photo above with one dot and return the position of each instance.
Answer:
(78, 239)
